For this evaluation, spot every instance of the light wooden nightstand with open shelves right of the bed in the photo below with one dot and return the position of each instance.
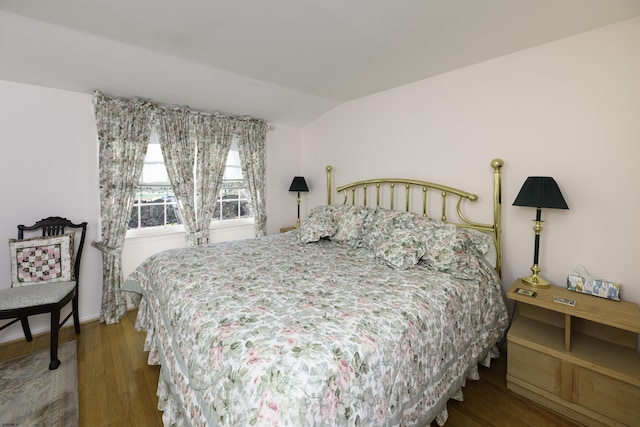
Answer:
(580, 361)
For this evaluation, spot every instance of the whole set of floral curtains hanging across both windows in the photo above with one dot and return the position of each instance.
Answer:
(186, 137)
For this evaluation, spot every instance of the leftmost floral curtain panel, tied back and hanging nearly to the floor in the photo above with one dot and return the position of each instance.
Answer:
(124, 127)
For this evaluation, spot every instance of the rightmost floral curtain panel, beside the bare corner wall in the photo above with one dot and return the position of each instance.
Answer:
(252, 151)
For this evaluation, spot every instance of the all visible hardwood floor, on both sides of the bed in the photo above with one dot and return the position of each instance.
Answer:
(118, 388)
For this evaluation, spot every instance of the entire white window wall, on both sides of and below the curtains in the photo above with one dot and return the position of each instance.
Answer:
(49, 166)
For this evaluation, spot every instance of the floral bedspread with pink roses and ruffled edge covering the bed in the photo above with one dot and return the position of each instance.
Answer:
(271, 331)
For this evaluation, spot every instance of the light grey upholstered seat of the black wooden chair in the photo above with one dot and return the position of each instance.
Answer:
(29, 296)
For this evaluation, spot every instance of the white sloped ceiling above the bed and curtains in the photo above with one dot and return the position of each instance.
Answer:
(287, 61)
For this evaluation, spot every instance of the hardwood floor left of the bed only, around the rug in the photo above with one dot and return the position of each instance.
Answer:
(116, 387)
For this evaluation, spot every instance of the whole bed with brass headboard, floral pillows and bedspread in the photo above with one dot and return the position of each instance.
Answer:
(365, 315)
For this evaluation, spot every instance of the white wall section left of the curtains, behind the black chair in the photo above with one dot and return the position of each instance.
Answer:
(49, 167)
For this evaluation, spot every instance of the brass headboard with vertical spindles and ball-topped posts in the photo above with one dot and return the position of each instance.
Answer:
(390, 184)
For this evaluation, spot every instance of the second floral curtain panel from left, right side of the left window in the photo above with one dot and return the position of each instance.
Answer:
(177, 141)
